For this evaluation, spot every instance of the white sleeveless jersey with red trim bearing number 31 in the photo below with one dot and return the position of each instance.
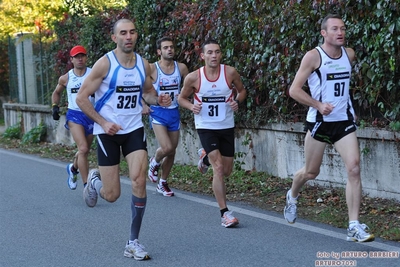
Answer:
(214, 96)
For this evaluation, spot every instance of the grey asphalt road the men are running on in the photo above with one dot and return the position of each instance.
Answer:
(43, 223)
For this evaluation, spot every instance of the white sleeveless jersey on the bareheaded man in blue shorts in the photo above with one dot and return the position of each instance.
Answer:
(168, 84)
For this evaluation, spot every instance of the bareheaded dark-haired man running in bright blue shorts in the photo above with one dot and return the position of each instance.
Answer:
(166, 75)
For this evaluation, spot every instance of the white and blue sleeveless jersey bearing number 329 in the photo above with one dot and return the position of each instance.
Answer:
(118, 97)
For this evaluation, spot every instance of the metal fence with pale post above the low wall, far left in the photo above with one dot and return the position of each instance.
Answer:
(32, 76)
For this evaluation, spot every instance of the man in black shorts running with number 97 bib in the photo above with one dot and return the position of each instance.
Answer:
(330, 120)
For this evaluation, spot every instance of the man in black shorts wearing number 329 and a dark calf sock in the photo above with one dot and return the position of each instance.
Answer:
(122, 84)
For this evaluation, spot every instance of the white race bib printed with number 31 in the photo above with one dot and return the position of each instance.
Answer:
(213, 108)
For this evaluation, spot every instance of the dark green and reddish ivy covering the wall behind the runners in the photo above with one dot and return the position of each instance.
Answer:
(265, 41)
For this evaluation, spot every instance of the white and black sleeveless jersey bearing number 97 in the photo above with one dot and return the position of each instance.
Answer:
(330, 83)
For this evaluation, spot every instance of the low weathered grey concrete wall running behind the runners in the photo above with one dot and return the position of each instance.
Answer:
(276, 149)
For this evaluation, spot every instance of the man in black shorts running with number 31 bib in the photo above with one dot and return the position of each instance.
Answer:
(217, 90)
